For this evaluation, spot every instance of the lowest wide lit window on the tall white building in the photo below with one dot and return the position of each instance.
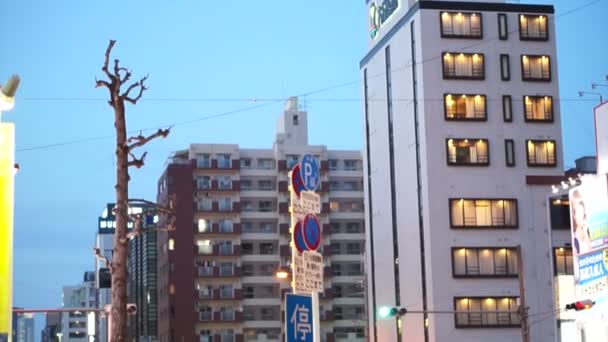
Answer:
(486, 312)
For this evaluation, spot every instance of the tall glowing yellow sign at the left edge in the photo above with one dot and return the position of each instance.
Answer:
(7, 185)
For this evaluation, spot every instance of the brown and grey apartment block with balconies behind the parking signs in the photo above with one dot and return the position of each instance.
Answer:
(216, 270)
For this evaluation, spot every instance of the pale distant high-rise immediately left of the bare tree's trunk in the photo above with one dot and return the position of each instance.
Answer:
(74, 324)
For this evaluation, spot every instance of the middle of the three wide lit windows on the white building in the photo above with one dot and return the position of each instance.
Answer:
(484, 262)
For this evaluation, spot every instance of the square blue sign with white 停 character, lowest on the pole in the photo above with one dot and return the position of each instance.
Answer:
(298, 318)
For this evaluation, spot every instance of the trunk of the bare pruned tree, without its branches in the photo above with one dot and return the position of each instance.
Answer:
(119, 258)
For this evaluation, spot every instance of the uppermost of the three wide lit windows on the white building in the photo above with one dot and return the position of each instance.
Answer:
(483, 213)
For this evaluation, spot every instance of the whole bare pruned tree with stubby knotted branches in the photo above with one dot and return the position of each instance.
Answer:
(124, 159)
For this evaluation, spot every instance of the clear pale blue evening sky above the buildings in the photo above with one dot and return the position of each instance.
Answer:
(218, 73)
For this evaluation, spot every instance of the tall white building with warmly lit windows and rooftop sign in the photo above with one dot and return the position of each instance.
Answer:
(462, 124)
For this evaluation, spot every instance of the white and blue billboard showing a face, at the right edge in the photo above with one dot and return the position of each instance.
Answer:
(589, 227)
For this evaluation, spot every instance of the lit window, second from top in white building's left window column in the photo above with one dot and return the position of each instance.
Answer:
(469, 66)
